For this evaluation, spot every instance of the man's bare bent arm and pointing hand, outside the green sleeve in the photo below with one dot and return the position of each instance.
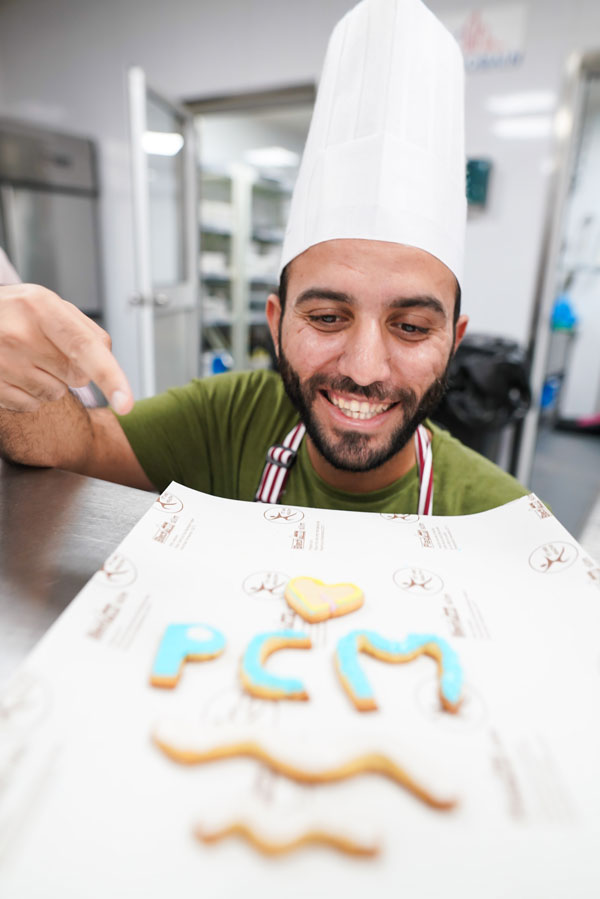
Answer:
(47, 344)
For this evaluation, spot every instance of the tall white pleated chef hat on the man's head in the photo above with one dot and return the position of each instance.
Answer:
(384, 157)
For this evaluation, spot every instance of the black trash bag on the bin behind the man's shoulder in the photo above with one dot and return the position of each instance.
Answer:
(488, 390)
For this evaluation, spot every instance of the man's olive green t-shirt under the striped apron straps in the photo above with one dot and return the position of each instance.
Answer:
(213, 435)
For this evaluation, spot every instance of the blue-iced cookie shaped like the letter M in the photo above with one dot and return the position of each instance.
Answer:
(355, 681)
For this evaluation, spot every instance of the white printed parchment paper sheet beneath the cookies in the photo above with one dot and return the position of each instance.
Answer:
(91, 808)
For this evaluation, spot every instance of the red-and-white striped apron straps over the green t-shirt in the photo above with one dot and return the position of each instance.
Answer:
(282, 456)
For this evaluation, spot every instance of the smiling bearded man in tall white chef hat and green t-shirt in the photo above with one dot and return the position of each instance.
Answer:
(364, 325)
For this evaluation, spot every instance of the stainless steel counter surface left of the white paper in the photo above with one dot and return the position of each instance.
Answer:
(56, 529)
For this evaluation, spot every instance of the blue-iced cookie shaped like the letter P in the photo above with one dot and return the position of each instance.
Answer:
(183, 643)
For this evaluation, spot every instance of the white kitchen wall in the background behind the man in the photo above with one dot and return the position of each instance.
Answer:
(64, 62)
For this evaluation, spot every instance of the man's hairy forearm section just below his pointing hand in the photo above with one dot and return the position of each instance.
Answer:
(57, 435)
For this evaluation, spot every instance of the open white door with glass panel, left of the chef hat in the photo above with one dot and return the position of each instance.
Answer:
(166, 226)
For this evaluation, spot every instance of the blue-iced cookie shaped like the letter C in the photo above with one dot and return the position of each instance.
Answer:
(255, 678)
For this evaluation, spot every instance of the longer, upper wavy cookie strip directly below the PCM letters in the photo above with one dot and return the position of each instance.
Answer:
(293, 757)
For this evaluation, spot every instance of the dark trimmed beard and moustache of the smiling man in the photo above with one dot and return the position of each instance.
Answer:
(351, 451)
